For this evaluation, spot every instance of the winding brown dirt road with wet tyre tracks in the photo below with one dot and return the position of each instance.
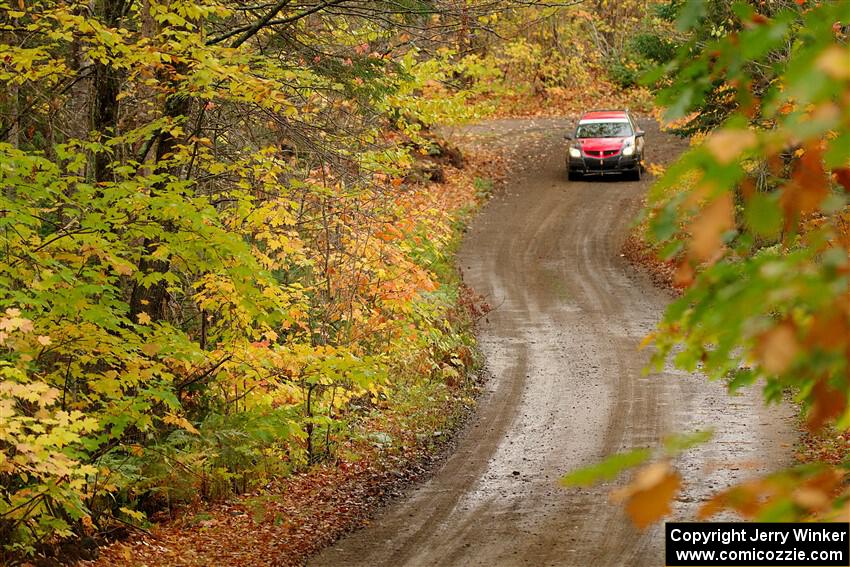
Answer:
(566, 387)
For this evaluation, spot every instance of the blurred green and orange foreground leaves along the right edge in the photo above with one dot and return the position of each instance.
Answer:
(756, 216)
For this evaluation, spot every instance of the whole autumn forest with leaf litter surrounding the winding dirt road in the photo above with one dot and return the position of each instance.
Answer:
(229, 236)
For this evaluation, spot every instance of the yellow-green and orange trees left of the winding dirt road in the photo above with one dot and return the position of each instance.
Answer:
(216, 255)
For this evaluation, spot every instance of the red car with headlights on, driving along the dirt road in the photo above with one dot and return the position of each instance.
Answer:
(605, 141)
